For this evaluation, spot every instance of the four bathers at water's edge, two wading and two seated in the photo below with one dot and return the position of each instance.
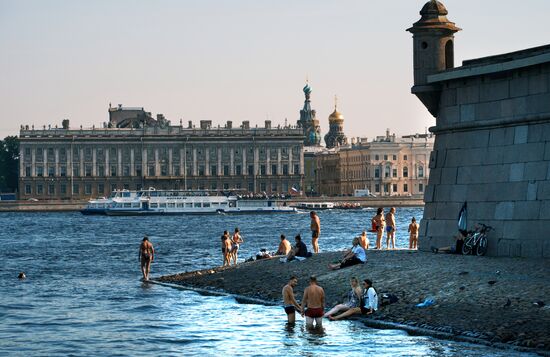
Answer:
(360, 301)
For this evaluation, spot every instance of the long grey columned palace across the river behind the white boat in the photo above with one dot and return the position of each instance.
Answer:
(135, 151)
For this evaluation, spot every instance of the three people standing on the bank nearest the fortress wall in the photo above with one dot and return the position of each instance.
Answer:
(381, 223)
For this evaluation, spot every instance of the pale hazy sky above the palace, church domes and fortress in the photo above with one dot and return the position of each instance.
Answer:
(235, 60)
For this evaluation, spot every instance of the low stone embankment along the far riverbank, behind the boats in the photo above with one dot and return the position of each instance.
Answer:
(77, 205)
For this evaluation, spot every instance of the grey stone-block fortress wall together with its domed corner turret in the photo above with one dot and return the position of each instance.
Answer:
(492, 146)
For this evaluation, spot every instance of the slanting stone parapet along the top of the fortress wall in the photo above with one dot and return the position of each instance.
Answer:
(497, 63)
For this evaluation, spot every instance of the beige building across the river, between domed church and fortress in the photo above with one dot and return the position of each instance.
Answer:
(386, 166)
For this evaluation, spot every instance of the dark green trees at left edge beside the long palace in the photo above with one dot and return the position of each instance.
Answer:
(9, 164)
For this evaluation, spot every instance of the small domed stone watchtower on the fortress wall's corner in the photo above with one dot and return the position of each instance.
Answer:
(433, 38)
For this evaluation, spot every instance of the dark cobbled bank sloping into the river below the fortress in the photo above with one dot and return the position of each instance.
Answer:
(481, 299)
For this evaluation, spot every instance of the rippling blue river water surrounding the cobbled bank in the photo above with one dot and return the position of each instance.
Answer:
(83, 295)
